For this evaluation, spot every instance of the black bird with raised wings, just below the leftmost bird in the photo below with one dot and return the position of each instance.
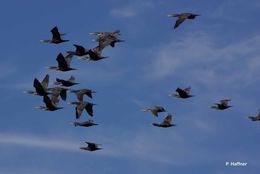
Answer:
(50, 104)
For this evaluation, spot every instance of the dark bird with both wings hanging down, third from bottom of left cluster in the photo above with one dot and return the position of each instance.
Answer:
(81, 106)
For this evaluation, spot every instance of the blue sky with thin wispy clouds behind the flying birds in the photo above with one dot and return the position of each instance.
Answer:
(217, 55)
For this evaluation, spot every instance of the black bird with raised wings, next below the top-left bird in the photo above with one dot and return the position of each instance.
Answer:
(63, 63)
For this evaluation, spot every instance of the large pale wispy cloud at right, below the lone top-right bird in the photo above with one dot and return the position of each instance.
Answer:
(196, 57)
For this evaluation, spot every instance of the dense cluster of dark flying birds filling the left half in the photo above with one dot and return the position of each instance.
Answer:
(51, 96)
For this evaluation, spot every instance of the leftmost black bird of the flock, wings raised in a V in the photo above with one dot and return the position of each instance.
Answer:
(40, 87)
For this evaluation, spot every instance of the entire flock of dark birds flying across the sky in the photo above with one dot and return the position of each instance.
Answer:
(51, 96)
